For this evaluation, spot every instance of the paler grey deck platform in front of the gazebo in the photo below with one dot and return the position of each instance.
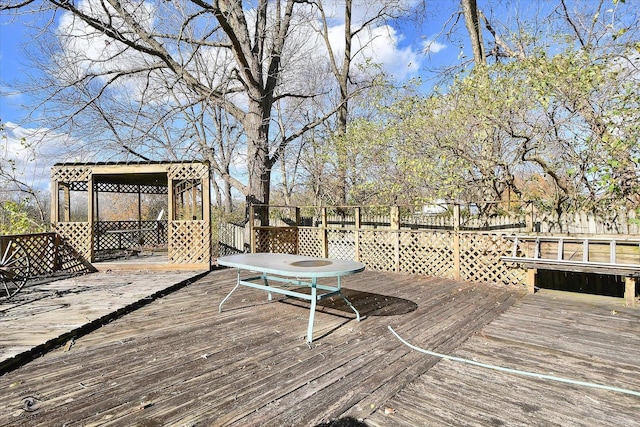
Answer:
(47, 311)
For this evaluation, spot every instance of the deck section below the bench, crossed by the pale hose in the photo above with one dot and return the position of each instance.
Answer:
(584, 338)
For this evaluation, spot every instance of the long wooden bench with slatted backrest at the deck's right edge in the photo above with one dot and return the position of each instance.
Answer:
(599, 255)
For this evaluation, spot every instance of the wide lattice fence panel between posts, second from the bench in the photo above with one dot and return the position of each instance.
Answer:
(428, 253)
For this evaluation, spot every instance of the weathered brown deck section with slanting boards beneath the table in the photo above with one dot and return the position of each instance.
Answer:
(178, 361)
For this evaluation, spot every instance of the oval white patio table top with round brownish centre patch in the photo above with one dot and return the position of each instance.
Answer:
(292, 265)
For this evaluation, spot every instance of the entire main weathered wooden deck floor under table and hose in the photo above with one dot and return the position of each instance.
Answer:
(177, 361)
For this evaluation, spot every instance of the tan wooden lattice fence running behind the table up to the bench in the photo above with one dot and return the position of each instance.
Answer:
(456, 254)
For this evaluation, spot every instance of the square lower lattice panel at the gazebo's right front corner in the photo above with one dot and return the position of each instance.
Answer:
(190, 242)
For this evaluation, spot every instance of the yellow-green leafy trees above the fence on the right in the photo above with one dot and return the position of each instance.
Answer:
(559, 126)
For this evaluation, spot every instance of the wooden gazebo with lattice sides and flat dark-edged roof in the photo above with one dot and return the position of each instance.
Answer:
(179, 222)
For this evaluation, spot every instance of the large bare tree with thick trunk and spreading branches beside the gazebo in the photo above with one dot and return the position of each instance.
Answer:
(224, 55)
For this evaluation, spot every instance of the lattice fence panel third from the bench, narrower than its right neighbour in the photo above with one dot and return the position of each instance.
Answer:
(377, 249)
